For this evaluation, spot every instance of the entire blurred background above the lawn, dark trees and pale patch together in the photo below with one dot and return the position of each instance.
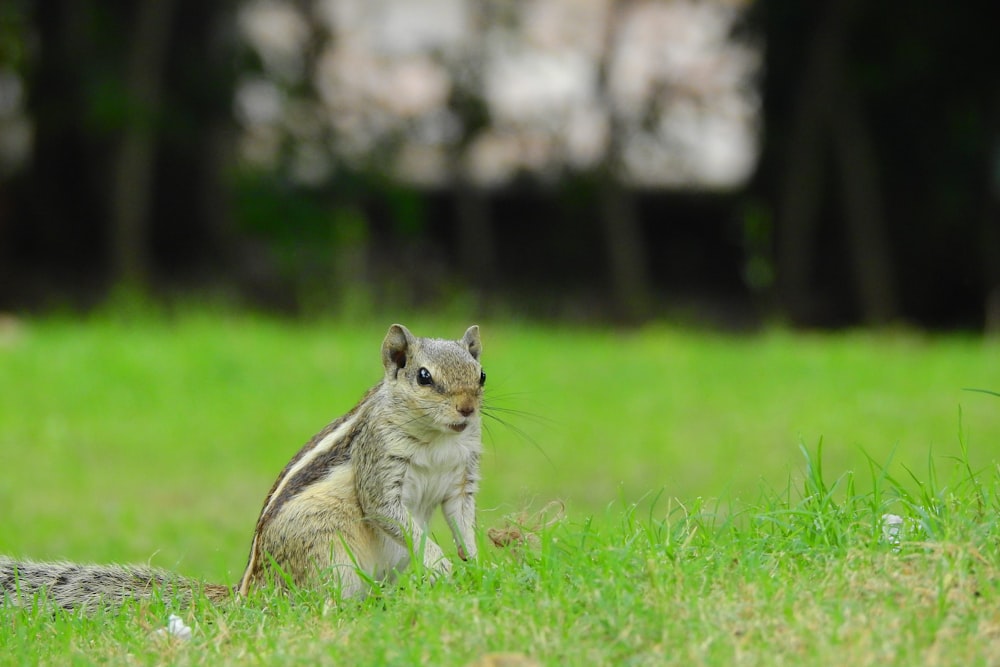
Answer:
(725, 162)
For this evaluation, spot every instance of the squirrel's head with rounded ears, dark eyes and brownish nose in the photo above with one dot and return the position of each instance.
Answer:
(440, 380)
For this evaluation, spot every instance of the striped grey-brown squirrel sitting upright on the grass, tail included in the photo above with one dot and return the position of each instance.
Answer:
(351, 507)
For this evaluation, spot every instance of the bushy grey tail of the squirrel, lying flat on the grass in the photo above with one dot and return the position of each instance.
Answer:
(72, 585)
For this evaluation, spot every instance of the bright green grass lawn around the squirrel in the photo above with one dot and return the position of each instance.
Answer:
(703, 523)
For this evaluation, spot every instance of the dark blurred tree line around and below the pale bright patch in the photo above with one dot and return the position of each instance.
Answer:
(877, 197)
